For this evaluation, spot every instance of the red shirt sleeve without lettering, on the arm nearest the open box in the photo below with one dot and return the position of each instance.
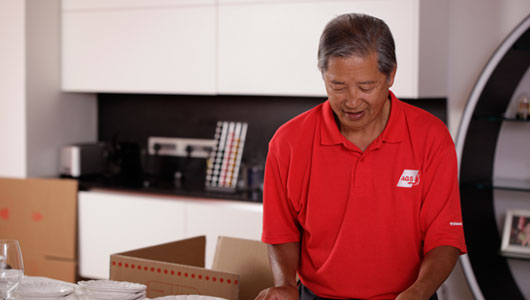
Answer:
(279, 216)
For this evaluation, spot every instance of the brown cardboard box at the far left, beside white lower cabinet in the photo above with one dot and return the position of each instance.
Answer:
(42, 215)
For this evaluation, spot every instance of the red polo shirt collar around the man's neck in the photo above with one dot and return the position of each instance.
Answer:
(393, 132)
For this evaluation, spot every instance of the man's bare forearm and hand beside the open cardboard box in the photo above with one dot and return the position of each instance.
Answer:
(284, 259)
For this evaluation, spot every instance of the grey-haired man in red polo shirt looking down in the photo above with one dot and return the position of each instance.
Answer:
(361, 195)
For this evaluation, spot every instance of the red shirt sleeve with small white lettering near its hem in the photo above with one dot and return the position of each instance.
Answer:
(441, 216)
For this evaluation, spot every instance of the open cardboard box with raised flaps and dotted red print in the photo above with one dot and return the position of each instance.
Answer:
(240, 269)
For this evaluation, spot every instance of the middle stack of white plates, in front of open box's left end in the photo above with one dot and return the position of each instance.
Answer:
(110, 290)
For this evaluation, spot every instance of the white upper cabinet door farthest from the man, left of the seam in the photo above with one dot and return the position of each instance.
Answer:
(139, 46)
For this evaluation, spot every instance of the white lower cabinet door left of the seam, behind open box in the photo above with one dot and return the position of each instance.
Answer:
(117, 222)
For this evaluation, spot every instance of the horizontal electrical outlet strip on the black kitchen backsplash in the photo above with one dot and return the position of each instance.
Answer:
(198, 148)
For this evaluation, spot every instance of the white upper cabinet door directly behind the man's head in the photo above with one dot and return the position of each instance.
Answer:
(270, 47)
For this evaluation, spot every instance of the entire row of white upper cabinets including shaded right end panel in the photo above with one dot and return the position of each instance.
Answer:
(265, 47)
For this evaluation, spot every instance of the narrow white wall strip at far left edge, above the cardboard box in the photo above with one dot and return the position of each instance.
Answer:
(12, 89)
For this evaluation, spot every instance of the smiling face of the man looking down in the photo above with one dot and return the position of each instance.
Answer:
(358, 92)
